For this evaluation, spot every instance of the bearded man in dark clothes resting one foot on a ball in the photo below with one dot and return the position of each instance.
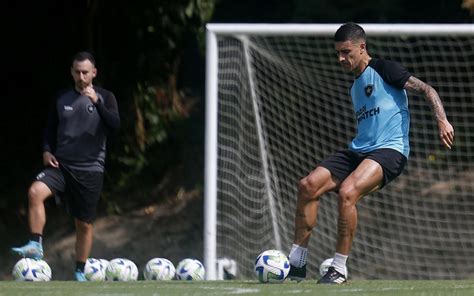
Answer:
(74, 146)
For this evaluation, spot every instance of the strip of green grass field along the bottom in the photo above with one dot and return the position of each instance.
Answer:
(205, 288)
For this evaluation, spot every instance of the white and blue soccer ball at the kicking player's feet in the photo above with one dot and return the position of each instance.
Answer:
(272, 266)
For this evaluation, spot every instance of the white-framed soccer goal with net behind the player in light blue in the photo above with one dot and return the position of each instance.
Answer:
(278, 103)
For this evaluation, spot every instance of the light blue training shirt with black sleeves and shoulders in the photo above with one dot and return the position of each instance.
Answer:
(381, 107)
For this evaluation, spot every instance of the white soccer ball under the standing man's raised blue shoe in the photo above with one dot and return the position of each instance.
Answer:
(27, 269)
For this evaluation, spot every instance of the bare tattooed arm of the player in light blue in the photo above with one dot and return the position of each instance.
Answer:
(446, 130)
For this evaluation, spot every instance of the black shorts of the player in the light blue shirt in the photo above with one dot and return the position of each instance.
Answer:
(344, 162)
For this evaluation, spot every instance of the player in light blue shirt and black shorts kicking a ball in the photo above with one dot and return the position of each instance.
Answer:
(376, 155)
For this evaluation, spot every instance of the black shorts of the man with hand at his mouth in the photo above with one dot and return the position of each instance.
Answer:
(79, 190)
